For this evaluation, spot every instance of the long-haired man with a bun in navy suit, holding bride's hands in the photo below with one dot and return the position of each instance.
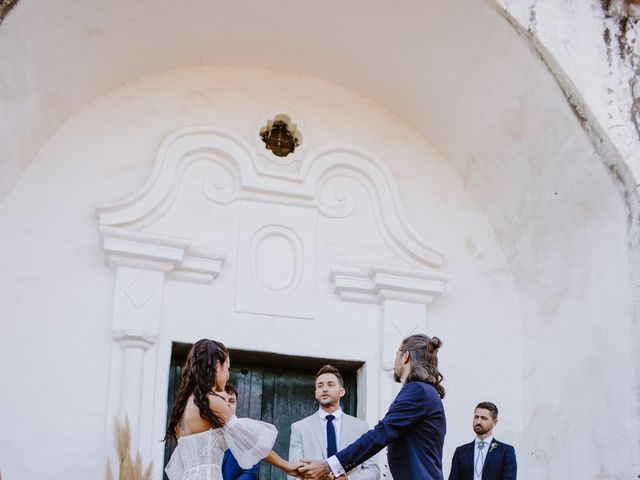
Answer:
(413, 429)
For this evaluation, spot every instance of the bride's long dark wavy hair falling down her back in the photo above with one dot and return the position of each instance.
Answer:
(198, 379)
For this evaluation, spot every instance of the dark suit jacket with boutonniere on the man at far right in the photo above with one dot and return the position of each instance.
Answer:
(499, 464)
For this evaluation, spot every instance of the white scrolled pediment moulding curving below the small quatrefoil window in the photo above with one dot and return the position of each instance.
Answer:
(325, 184)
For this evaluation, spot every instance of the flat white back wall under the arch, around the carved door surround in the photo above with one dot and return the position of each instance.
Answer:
(58, 294)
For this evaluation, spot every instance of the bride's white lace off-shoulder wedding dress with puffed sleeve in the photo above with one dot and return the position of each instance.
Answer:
(199, 456)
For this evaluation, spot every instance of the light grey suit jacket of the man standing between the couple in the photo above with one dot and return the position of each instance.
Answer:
(308, 441)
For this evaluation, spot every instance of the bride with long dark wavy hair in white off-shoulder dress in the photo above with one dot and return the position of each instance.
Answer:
(204, 426)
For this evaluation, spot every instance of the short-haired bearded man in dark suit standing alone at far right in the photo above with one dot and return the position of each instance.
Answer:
(485, 458)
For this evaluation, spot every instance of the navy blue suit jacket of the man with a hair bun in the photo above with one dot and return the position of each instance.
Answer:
(413, 429)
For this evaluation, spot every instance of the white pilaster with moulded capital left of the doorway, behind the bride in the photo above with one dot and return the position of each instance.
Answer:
(143, 262)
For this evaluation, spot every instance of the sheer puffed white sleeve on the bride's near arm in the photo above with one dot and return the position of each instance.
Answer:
(249, 440)
